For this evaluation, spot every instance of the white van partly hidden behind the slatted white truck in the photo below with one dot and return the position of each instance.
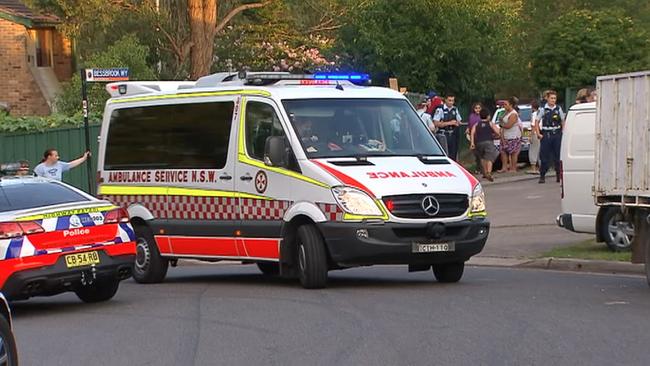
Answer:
(580, 213)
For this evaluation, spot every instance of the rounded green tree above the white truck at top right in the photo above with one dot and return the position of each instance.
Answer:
(582, 44)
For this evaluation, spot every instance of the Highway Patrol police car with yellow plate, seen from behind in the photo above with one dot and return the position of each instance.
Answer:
(55, 238)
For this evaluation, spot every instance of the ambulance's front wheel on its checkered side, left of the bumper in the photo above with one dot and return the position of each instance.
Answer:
(312, 259)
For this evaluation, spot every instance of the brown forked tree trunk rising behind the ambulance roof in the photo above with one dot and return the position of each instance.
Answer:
(204, 26)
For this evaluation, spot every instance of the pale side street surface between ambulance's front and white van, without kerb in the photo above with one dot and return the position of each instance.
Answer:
(523, 215)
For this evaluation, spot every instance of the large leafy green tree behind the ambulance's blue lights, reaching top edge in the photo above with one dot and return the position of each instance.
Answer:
(459, 46)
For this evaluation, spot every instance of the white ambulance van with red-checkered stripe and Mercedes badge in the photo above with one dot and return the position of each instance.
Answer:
(300, 174)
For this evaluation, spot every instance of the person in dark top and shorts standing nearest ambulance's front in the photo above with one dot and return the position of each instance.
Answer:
(482, 143)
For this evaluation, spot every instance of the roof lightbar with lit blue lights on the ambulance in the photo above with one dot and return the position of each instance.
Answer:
(311, 79)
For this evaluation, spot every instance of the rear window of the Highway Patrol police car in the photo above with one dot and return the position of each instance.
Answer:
(21, 196)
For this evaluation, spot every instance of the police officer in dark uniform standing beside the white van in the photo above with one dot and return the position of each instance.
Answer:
(551, 125)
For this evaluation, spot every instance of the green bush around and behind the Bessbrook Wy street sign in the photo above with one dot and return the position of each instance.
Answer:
(126, 52)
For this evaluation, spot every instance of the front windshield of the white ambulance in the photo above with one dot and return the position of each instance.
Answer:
(352, 127)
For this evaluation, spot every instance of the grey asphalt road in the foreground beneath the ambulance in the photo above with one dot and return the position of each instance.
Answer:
(232, 315)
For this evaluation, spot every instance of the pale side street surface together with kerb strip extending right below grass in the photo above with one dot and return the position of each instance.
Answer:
(522, 229)
